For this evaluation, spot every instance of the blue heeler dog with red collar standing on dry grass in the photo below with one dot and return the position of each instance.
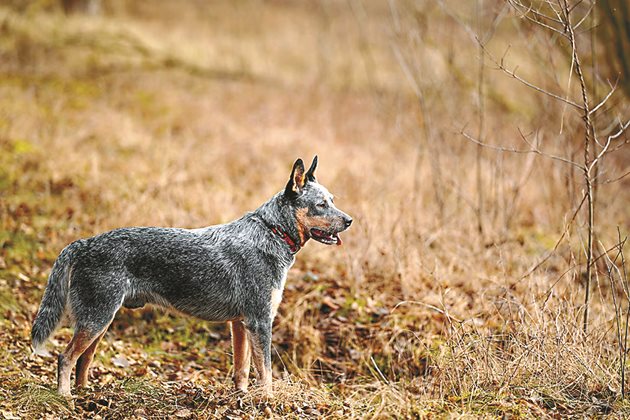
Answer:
(233, 272)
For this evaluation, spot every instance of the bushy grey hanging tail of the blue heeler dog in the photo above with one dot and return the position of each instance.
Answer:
(53, 303)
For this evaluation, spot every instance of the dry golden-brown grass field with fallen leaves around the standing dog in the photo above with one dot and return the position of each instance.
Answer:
(459, 289)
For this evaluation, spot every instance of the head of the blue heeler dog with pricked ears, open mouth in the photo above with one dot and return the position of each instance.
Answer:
(315, 213)
